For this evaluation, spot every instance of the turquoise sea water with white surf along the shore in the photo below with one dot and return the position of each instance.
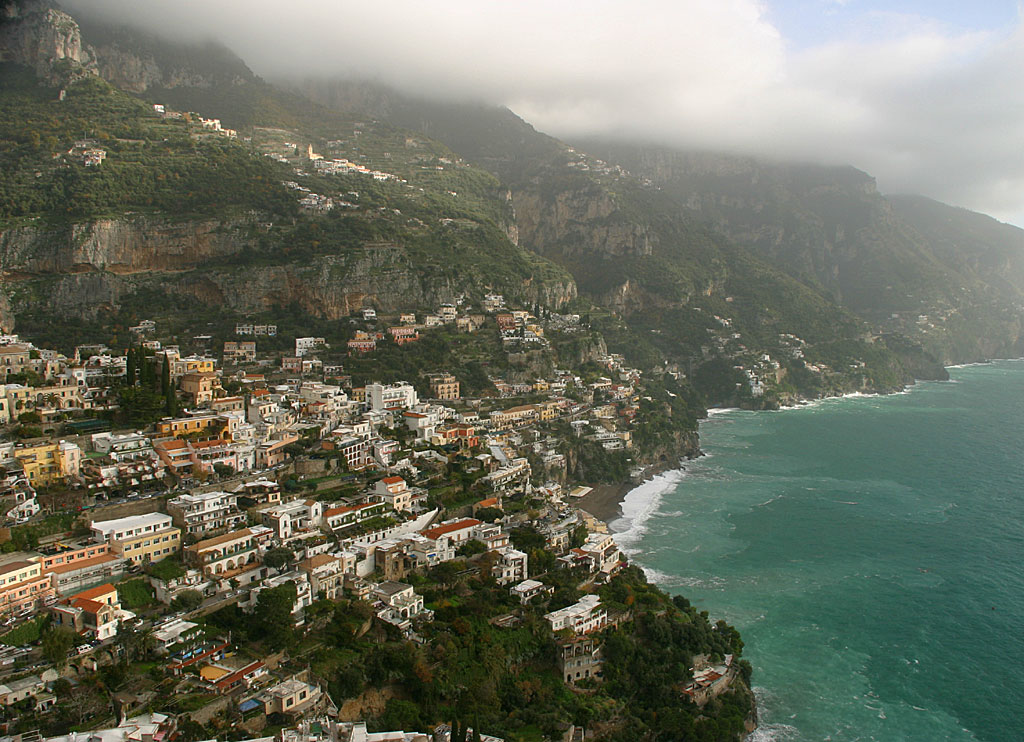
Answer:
(869, 549)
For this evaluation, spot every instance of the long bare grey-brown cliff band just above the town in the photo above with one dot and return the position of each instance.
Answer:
(95, 268)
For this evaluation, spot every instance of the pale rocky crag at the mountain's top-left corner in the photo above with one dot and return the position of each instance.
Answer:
(42, 38)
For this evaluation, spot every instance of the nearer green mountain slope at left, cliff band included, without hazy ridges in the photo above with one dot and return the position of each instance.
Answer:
(184, 210)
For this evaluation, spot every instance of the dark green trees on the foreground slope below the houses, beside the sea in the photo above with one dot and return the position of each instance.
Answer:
(505, 681)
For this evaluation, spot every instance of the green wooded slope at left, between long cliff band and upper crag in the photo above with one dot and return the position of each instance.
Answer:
(151, 163)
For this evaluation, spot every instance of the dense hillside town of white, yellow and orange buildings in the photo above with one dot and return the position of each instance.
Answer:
(270, 486)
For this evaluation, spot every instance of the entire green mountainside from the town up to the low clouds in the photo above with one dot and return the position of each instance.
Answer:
(700, 263)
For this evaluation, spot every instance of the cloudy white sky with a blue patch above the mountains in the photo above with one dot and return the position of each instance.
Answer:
(927, 96)
